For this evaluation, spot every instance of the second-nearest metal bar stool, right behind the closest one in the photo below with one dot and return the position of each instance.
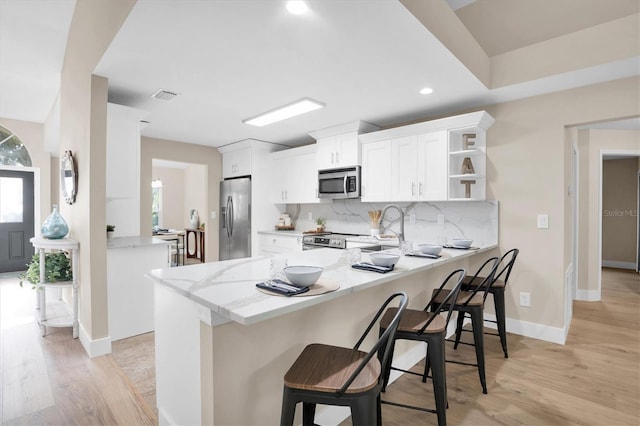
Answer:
(429, 327)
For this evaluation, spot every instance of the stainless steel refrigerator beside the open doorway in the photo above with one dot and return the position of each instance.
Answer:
(235, 218)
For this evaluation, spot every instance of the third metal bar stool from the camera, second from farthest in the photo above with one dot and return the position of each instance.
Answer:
(472, 303)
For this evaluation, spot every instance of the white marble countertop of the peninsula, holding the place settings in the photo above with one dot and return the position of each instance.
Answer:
(225, 291)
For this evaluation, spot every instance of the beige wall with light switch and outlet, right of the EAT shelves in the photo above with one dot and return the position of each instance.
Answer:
(526, 156)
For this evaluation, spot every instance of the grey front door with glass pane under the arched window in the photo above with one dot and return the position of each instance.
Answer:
(16, 219)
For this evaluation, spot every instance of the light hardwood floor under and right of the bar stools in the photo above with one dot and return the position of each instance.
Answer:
(591, 380)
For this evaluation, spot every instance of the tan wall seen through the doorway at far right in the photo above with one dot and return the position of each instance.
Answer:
(619, 215)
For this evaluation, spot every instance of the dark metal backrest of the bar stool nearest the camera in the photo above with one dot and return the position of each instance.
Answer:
(385, 341)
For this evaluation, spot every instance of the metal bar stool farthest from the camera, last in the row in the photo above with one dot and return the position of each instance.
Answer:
(497, 289)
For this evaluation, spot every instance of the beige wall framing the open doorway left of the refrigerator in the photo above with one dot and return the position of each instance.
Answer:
(208, 157)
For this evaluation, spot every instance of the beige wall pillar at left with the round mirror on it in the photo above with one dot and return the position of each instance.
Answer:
(83, 112)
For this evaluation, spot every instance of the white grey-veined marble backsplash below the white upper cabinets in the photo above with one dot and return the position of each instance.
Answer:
(477, 220)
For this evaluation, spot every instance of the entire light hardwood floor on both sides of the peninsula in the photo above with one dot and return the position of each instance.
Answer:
(592, 380)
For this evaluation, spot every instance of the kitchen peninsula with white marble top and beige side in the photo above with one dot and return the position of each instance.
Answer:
(222, 346)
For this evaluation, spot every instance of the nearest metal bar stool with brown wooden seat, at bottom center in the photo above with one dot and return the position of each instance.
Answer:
(334, 375)
